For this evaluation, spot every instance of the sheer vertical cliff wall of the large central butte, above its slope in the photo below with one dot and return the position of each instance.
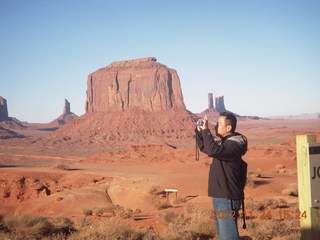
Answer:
(141, 83)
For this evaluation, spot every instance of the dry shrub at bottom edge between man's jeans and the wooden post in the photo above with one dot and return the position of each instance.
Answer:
(272, 229)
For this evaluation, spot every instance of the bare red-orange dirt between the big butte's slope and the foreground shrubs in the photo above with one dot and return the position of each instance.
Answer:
(96, 176)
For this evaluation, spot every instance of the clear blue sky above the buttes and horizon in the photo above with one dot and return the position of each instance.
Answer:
(263, 56)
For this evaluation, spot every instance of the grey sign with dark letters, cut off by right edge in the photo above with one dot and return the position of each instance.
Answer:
(314, 163)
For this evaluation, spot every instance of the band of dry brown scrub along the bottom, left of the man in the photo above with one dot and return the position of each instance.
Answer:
(197, 225)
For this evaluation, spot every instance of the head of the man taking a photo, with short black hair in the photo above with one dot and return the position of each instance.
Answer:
(227, 123)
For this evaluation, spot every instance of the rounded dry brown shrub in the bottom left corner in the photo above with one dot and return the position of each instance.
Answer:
(28, 227)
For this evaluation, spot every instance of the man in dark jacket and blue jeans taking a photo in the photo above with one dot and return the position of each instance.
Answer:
(227, 174)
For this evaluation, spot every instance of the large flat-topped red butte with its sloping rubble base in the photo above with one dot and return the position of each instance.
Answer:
(130, 102)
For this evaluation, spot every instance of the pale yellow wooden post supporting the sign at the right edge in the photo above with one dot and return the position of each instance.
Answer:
(310, 223)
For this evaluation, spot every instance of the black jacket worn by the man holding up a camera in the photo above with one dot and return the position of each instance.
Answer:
(226, 174)
